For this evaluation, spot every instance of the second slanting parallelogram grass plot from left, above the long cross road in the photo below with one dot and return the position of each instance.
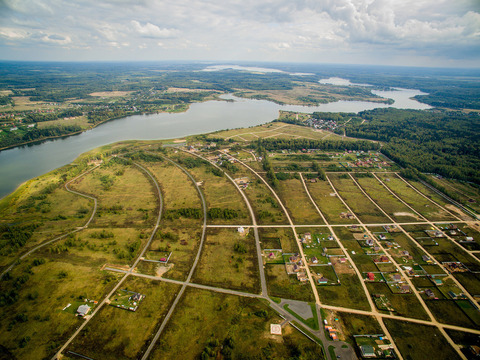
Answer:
(356, 200)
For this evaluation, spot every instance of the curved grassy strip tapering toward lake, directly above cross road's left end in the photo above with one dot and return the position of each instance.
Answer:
(219, 192)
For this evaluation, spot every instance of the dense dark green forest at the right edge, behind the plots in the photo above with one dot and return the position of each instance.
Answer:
(446, 143)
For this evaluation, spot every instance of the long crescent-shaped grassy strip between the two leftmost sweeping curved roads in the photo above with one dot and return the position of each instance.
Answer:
(179, 231)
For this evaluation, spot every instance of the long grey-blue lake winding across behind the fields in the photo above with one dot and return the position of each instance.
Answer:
(23, 163)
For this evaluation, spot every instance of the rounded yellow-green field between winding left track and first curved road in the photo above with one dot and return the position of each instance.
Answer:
(125, 195)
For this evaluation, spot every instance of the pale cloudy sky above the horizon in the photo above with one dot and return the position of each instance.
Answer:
(390, 32)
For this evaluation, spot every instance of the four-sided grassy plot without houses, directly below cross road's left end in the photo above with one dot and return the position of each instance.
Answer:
(229, 260)
